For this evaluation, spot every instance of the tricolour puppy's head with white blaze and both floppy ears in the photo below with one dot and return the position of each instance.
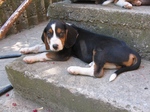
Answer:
(58, 35)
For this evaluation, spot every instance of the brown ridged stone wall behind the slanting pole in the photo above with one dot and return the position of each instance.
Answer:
(34, 14)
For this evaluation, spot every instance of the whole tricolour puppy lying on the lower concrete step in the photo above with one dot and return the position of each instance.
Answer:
(64, 40)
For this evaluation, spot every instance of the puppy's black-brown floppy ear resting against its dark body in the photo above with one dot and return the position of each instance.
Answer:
(71, 36)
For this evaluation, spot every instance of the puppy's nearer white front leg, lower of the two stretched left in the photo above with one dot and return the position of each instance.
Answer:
(36, 58)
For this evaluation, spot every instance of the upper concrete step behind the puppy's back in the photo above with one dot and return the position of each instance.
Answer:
(132, 26)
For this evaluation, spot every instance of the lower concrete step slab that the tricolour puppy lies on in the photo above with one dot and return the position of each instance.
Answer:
(50, 84)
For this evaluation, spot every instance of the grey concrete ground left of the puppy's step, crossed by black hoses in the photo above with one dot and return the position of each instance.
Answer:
(11, 45)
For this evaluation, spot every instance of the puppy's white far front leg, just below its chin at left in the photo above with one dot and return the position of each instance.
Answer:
(34, 49)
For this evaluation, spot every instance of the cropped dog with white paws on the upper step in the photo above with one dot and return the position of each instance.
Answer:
(128, 4)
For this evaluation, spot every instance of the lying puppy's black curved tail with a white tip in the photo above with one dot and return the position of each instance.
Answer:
(135, 65)
